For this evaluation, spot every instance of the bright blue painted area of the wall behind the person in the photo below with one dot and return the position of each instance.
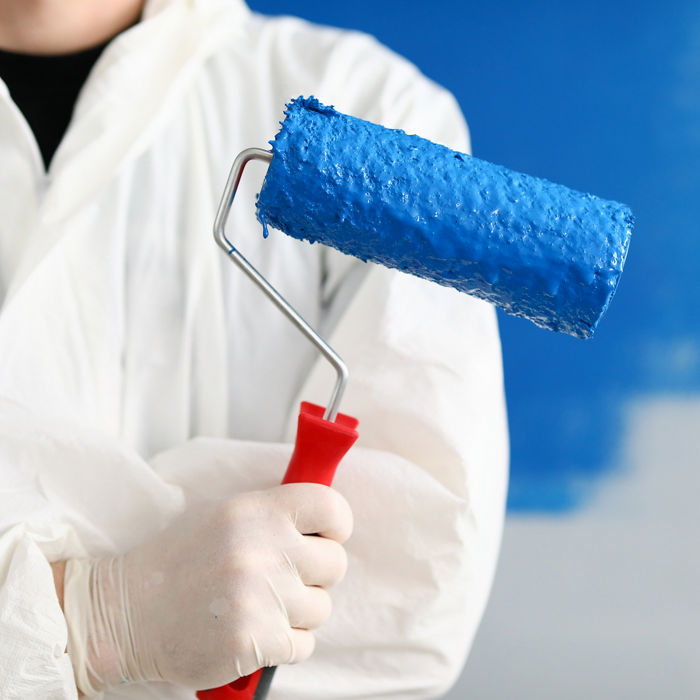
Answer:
(604, 97)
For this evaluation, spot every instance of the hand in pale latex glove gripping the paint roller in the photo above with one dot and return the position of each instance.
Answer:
(217, 595)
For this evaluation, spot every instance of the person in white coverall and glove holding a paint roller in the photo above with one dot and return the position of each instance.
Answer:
(148, 393)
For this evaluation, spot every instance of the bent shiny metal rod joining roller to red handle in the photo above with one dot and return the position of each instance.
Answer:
(234, 178)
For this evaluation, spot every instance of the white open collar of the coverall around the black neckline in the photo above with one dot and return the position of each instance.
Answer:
(133, 90)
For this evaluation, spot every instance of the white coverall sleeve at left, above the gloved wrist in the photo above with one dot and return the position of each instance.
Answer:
(58, 501)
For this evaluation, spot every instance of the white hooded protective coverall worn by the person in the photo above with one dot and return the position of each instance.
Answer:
(125, 334)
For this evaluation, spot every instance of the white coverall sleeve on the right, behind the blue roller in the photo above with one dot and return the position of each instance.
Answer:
(428, 477)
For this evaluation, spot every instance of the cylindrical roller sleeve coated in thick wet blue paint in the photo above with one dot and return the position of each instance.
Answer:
(536, 249)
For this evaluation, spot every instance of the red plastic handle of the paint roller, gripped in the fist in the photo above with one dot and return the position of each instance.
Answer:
(319, 447)
